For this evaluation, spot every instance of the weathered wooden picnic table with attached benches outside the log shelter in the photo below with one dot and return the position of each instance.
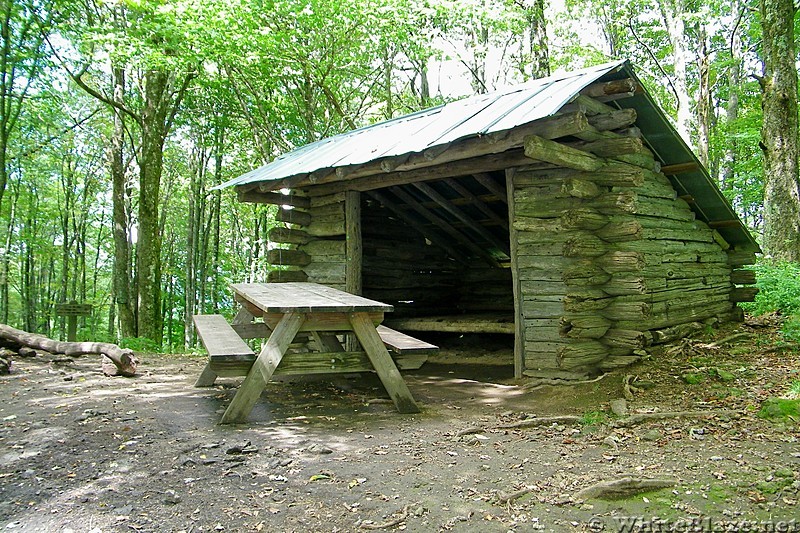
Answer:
(279, 312)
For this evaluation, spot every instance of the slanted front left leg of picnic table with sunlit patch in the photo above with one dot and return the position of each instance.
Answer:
(263, 368)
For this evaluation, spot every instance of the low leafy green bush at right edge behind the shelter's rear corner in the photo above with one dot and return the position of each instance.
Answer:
(779, 286)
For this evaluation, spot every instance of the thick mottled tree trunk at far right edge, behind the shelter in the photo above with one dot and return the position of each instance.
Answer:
(779, 137)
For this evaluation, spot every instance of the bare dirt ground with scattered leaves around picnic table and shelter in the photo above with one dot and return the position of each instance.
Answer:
(83, 452)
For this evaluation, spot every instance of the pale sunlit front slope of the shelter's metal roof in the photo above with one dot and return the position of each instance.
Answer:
(475, 116)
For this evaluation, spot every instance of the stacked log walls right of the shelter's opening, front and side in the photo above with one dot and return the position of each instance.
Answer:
(607, 257)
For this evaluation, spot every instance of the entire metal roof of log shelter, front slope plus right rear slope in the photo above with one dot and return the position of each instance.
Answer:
(505, 110)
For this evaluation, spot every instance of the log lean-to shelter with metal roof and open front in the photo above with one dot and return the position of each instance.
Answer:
(567, 212)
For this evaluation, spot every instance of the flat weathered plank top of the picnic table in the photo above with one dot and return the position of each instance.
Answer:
(305, 297)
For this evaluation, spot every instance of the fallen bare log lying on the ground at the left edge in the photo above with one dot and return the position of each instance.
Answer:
(123, 358)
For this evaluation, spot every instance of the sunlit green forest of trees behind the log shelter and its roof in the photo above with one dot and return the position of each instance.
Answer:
(117, 117)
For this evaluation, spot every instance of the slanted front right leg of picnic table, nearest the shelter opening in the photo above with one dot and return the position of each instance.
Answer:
(382, 361)
